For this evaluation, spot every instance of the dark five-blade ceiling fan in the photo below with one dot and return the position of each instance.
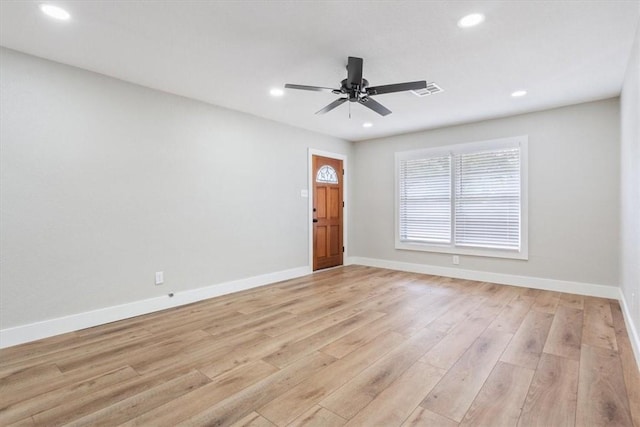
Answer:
(356, 89)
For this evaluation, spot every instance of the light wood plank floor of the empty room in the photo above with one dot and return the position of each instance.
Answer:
(349, 346)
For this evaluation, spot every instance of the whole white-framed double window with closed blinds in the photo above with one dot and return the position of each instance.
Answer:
(464, 199)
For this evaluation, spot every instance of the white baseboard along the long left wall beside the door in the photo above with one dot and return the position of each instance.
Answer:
(48, 328)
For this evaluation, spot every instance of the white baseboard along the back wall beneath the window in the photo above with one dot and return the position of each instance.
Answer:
(589, 289)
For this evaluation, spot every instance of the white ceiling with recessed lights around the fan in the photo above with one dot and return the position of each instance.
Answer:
(231, 53)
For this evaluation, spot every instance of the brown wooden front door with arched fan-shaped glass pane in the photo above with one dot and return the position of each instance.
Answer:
(327, 212)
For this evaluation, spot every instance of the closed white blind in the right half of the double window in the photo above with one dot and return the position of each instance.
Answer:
(487, 199)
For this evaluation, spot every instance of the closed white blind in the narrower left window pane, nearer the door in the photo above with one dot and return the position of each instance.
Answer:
(425, 200)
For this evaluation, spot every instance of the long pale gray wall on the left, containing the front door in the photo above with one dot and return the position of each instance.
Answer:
(104, 183)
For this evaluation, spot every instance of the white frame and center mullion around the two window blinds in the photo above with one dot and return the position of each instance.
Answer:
(470, 147)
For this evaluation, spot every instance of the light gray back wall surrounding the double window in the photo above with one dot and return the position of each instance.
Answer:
(574, 201)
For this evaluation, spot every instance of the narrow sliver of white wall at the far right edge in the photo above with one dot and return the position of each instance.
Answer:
(630, 191)
